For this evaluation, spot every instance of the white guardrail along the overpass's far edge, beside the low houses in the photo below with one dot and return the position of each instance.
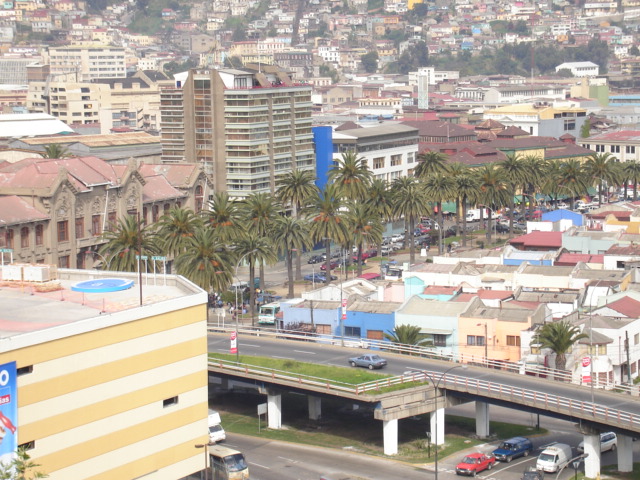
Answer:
(428, 352)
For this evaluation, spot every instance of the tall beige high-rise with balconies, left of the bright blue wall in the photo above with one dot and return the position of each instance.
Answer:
(247, 127)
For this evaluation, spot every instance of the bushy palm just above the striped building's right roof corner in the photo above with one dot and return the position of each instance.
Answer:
(206, 261)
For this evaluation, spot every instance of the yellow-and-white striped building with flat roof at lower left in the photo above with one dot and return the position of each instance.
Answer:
(115, 395)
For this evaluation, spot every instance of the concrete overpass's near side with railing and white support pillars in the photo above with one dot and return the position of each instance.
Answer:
(608, 412)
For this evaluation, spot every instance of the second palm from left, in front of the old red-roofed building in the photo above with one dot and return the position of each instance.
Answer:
(175, 229)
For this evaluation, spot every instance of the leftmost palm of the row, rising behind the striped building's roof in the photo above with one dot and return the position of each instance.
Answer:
(124, 242)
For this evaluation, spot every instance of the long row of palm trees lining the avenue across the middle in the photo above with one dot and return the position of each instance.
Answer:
(351, 210)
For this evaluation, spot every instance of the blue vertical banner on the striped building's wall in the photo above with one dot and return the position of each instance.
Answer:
(8, 411)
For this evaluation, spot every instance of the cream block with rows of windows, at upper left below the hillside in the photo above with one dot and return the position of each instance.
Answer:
(87, 63)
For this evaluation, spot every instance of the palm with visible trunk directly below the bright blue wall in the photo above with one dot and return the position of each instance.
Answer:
(327, 221)
